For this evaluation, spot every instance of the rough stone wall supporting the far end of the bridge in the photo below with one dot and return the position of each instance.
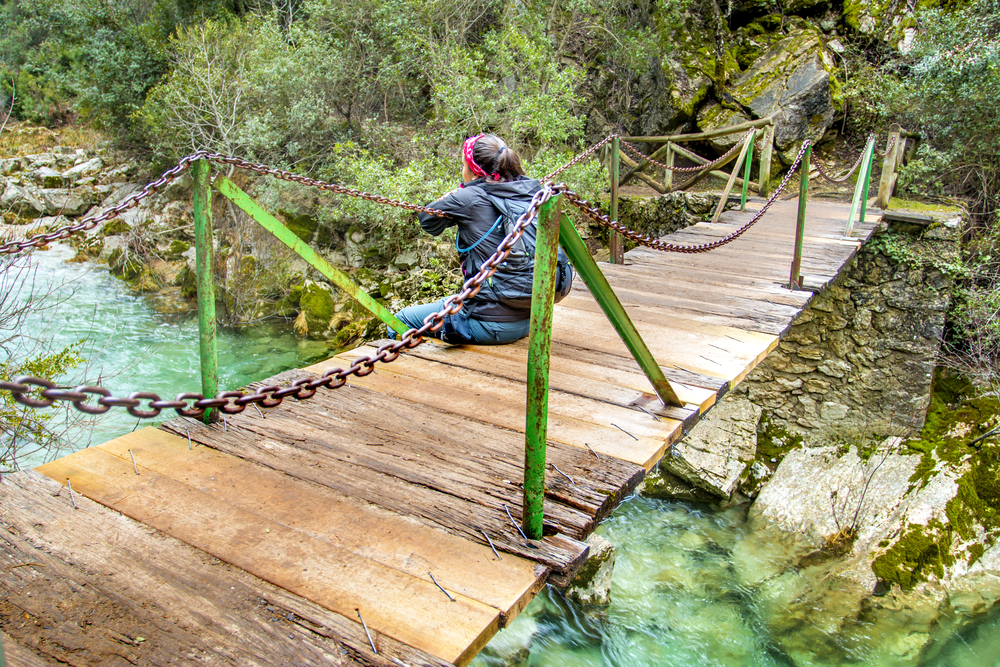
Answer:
(862, 355)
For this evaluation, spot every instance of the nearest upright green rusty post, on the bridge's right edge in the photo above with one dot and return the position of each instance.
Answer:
(539, 347)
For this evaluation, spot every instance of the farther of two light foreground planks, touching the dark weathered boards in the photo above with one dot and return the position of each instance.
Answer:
(463, 567)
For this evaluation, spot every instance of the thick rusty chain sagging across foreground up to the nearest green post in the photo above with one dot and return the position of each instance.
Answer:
(148, 405)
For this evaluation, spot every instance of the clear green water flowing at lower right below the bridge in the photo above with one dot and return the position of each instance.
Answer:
(693, 586)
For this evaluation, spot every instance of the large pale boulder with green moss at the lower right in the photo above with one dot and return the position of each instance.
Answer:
(867, 545)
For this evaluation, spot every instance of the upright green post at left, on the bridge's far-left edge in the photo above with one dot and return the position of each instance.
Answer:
(206, 287)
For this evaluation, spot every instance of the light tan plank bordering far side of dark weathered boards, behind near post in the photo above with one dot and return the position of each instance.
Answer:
(572, 420)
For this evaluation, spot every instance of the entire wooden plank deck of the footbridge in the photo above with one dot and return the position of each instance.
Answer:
(266, 540)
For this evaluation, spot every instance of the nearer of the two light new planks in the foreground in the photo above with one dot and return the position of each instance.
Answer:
(406, 608)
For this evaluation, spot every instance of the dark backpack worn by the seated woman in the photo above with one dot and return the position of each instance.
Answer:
(521, 260)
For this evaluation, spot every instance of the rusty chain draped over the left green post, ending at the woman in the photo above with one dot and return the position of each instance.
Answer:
(174, 172)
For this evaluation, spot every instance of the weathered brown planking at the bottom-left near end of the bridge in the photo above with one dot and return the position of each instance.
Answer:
(92, 582)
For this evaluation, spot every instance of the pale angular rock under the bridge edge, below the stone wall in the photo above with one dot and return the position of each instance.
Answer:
(718, 449)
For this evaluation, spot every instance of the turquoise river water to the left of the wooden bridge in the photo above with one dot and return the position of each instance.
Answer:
(136, 343)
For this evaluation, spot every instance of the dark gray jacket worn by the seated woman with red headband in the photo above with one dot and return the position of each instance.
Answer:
(471, 210)
